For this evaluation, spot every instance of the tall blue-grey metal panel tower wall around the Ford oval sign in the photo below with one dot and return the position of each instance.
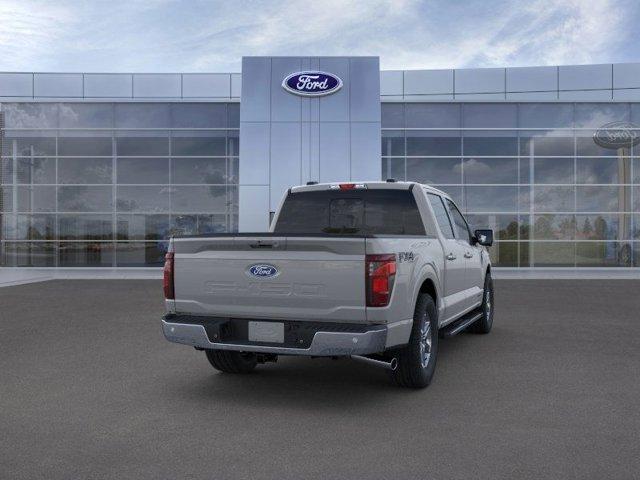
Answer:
(289, 140)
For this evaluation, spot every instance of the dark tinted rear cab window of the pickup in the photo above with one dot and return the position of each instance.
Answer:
(350, 212)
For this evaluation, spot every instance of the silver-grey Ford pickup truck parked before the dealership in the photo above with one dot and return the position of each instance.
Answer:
(375, 271)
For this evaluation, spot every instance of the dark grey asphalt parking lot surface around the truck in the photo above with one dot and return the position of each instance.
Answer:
(89, 388)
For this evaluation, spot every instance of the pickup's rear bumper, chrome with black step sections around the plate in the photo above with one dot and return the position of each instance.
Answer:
(191, 331)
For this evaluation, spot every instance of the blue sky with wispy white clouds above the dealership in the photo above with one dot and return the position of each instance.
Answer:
(212, 36)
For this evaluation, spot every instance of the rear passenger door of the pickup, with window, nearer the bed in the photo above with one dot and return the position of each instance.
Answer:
(454, 264)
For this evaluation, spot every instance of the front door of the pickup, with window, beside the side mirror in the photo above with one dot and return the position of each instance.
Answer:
(473, 266)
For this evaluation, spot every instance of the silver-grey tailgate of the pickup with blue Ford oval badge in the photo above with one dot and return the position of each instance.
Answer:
(315, 278)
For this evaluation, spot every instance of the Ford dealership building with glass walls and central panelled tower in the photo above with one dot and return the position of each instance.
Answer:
(99, 170)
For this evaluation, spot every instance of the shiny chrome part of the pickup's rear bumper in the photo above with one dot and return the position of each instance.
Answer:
(324, 344)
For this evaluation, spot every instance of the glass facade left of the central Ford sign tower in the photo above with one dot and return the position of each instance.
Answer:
(105, 184)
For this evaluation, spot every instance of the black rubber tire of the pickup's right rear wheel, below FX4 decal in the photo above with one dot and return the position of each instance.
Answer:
(411, 372)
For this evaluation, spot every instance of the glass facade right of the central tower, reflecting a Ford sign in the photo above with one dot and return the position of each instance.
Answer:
(531, 171)
